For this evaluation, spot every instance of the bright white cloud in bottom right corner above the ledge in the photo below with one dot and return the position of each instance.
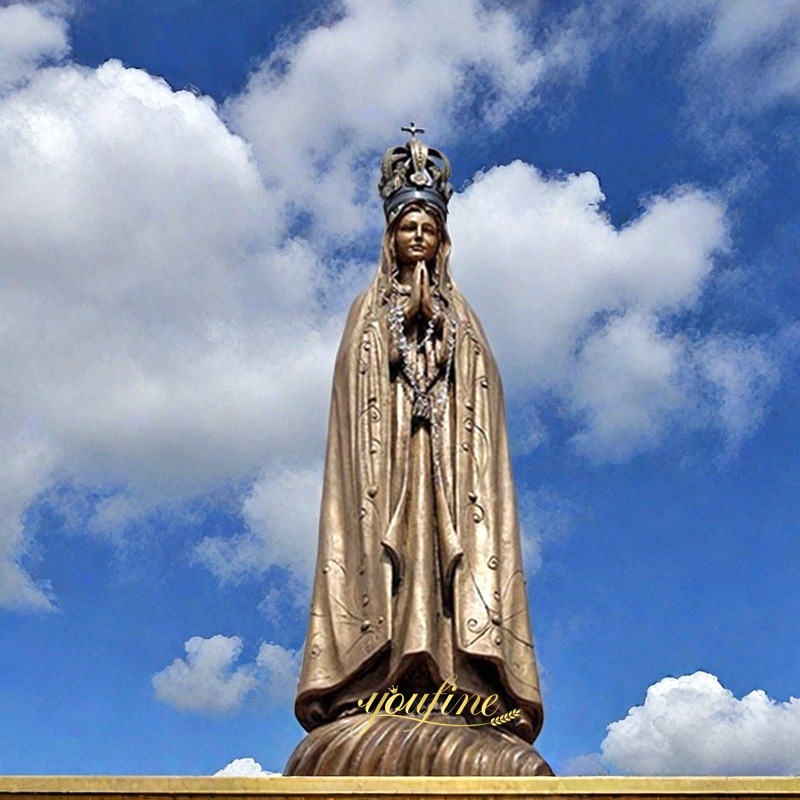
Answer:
(693, 725)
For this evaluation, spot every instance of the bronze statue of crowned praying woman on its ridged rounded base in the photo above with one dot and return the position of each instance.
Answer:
(419, 576)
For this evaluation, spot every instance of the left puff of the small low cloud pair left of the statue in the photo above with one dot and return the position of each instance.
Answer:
(206, 680)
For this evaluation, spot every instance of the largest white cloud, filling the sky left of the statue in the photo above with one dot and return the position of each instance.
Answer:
(155, 333)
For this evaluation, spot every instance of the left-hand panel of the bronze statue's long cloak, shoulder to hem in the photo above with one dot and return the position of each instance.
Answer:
(349, 622)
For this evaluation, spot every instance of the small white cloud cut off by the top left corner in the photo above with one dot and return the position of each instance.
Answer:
(28, 37)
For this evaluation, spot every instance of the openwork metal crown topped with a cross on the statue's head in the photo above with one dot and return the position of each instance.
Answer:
(414, 171)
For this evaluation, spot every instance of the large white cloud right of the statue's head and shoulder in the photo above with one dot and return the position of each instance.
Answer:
(582, 311)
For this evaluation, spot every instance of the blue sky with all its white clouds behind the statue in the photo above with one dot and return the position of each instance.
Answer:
(188, 204)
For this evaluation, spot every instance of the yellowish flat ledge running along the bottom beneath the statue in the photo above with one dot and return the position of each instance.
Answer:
(31, 787)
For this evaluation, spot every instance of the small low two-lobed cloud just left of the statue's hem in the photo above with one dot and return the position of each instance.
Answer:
(209, 681)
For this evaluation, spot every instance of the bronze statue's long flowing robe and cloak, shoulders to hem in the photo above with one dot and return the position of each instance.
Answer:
(419, 572)
